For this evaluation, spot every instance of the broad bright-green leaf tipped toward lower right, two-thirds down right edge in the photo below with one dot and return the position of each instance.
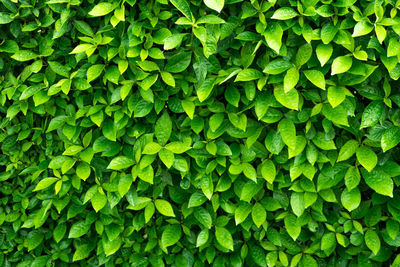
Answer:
(379, 181)
